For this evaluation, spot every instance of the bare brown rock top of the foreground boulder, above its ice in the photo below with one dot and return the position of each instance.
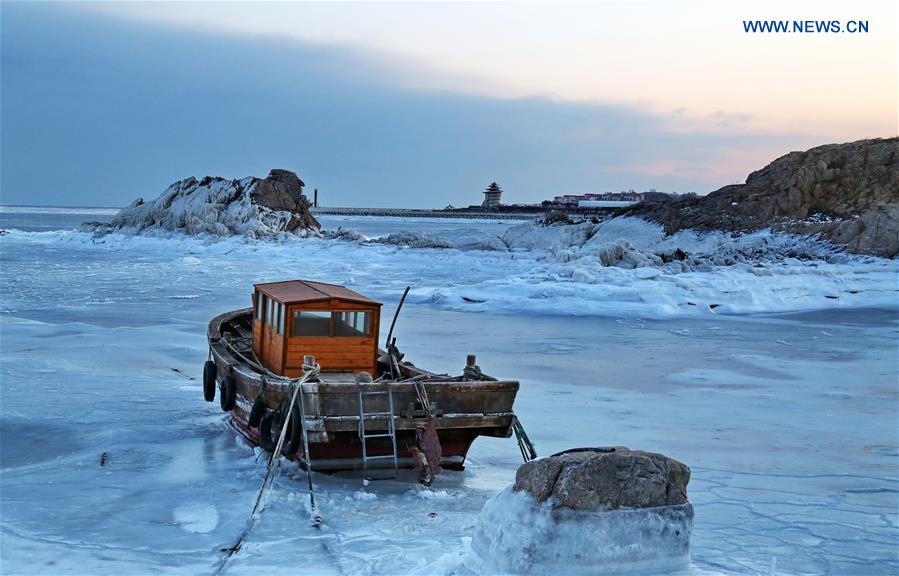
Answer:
(605, 479)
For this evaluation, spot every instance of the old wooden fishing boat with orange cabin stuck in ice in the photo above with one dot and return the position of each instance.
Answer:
(302, 367)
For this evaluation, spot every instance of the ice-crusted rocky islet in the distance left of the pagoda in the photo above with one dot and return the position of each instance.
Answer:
(254, 207)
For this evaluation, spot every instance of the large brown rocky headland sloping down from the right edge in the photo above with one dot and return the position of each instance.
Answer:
(845, 193)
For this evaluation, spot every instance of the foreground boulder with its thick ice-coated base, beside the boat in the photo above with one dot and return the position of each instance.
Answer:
(588, 511)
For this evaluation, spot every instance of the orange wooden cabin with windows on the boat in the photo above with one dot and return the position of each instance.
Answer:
(301, 318)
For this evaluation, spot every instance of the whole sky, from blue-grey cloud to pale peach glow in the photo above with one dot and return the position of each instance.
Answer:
(424, 104)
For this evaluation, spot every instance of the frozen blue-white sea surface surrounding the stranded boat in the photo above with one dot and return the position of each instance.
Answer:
(786, 412)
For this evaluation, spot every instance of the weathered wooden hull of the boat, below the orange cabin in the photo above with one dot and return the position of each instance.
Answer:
(465, 409)
